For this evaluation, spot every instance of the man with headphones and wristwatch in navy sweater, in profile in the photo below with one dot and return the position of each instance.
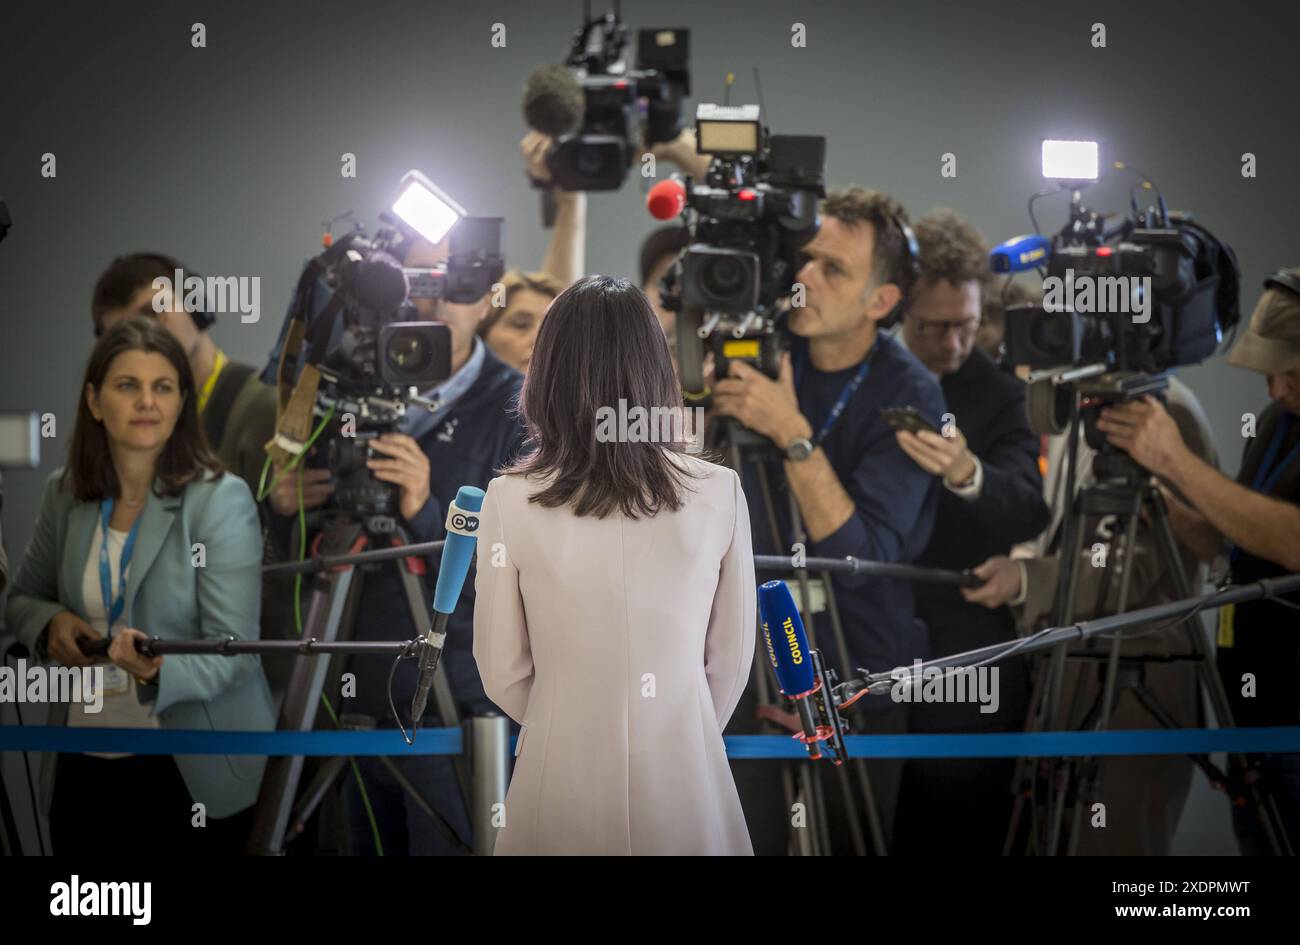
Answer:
(838, 462)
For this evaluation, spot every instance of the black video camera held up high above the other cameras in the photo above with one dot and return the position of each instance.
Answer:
(599, 155)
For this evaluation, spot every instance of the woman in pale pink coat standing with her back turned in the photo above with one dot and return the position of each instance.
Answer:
(616, 608)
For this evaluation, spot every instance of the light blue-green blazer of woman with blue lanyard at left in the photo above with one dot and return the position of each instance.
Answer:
(168, 597)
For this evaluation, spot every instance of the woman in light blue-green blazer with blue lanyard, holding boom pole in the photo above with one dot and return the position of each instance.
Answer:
(142, 535)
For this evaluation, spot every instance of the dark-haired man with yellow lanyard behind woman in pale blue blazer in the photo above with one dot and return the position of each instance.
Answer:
(239, 413)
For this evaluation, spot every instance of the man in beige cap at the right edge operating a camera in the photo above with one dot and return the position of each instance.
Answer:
(1258, 518)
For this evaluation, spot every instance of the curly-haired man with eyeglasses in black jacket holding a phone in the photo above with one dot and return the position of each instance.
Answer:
(993, 498)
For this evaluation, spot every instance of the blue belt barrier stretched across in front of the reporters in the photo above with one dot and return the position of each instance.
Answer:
(448, 742)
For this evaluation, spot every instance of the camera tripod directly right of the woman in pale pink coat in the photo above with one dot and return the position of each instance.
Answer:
(743, 447)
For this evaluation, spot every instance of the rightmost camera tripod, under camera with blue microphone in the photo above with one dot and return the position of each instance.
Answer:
(1126, 492)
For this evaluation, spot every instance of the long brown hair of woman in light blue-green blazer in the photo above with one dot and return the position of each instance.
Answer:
(187, 457)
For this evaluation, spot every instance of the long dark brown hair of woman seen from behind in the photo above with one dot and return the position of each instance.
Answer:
(599, 344)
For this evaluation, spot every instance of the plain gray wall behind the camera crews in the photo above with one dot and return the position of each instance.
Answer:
(229, 157)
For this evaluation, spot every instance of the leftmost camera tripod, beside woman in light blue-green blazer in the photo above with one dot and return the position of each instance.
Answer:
(332, 617)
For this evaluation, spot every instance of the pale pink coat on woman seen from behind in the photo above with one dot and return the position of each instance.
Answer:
(622, 647)
